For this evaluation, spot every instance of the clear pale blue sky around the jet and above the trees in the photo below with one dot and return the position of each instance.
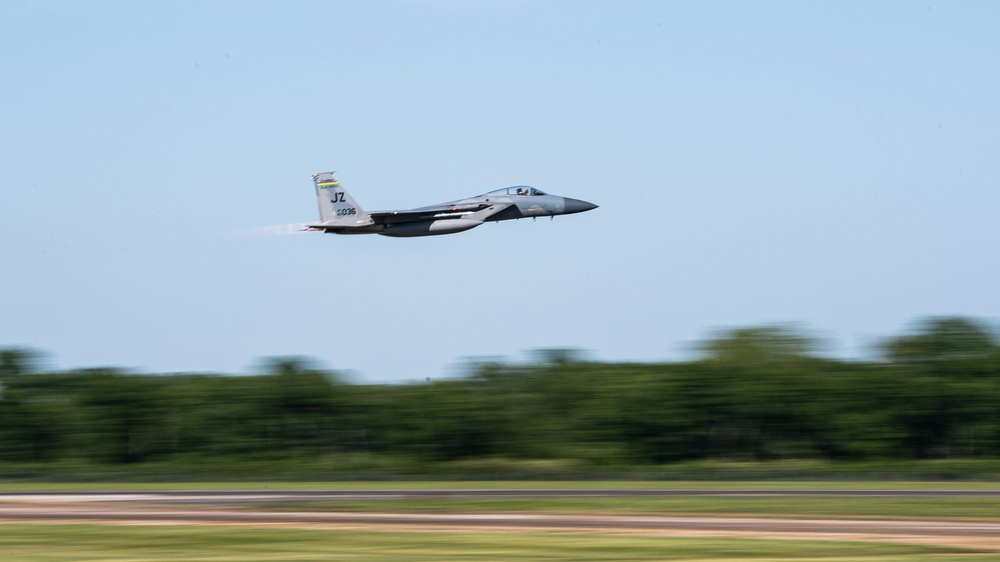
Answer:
(827, 164)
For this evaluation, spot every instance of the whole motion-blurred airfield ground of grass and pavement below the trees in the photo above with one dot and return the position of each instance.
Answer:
(436, 522)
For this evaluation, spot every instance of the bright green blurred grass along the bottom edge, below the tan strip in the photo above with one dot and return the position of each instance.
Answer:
(53, 543)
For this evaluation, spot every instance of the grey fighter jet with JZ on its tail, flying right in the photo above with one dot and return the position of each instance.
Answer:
(340, 214)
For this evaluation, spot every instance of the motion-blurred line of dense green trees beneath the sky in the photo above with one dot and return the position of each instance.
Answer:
(755, 393)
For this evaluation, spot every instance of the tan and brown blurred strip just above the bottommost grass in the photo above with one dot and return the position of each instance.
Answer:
(982, 535)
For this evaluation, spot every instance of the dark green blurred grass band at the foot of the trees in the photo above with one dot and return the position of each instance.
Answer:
(366, 467)
